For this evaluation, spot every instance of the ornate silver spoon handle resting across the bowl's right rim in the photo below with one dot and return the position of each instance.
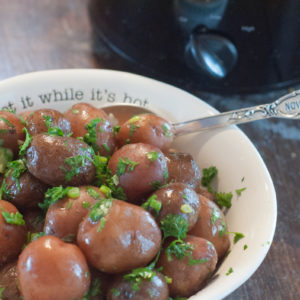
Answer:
(287, 106)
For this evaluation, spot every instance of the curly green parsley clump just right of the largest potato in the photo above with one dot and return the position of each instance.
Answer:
(174, 226)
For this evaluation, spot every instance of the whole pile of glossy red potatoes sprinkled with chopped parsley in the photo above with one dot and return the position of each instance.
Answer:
(95, 211)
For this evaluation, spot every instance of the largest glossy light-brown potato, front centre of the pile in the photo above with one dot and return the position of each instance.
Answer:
(129, 239)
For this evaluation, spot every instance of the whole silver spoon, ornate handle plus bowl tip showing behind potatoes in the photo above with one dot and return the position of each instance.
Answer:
(287, 107)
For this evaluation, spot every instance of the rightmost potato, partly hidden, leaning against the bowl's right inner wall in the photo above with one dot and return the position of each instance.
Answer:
(211, 225)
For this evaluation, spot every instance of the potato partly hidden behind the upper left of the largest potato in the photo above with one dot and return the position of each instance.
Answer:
(63, 217)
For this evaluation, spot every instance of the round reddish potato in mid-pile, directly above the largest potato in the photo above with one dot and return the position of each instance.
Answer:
(139, 182)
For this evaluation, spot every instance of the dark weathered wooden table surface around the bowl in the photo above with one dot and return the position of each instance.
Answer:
(50, 34)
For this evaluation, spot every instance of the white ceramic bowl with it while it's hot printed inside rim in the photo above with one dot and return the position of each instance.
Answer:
(240, 165)
